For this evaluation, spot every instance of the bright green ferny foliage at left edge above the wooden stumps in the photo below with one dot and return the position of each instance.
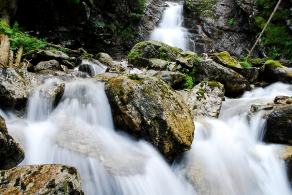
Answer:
(21, 39)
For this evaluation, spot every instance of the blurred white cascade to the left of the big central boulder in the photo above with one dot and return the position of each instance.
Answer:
(80, 132)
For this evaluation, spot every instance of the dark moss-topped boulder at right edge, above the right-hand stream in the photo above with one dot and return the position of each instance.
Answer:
(275, 71)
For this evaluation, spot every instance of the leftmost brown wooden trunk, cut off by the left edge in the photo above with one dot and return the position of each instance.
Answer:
(4, 50)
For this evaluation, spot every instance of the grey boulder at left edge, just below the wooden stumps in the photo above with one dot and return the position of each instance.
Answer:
(14, 89)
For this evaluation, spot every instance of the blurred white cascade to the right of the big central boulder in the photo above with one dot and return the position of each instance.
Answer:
(227, 155)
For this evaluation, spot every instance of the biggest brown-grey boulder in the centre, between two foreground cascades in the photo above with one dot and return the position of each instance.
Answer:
(148, 108)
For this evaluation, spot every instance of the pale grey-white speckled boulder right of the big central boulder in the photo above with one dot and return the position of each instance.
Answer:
(205, 99)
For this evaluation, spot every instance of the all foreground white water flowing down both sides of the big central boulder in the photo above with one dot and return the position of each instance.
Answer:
(227, 156)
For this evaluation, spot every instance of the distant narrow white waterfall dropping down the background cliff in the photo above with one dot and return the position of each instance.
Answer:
(170, 29)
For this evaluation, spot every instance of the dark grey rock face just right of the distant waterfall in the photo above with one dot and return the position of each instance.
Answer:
(219, 25)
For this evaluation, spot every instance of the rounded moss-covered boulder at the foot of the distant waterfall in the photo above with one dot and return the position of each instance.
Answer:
(143, 51)
